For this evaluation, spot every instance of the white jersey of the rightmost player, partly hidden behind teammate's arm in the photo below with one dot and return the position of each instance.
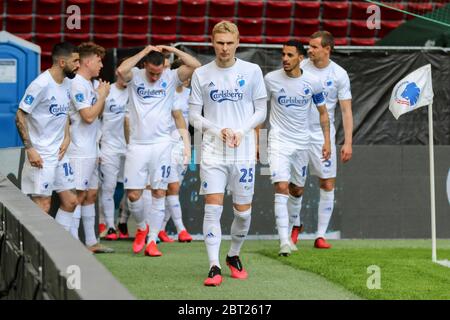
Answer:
(336, 86)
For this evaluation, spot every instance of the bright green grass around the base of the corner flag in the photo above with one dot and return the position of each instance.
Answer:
(406, 268)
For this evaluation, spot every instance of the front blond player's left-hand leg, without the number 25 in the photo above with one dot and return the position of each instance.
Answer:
(213, 182)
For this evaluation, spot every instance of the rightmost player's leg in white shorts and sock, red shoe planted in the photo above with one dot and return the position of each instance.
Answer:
(326, 171)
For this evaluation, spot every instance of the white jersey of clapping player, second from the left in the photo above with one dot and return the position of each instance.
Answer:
(83, 135)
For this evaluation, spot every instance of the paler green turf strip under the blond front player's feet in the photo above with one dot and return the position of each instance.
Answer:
(180, 272)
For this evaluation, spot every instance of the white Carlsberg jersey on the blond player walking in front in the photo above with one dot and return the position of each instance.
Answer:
(227, 96)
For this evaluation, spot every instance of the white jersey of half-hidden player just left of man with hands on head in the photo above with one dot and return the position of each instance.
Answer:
(112, 123)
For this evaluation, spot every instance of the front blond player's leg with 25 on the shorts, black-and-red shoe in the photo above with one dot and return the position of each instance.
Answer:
(242, 184)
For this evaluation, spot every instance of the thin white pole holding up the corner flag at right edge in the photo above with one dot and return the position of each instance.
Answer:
(432, 191)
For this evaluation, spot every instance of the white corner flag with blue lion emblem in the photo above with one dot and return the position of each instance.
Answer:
(412, 92)
